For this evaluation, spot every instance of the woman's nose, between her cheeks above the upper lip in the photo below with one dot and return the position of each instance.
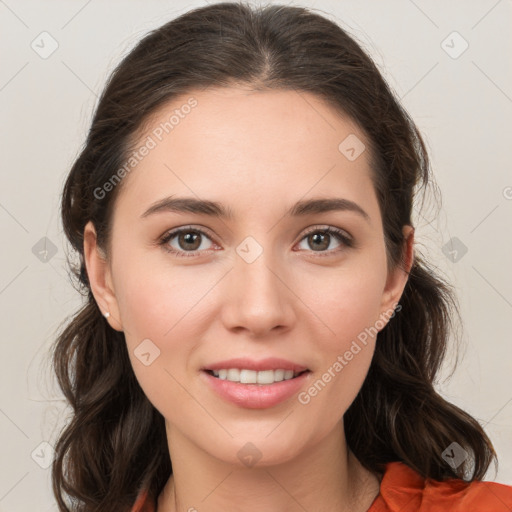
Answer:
(258, 297)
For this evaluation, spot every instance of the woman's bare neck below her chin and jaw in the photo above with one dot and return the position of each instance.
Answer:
(324, 478)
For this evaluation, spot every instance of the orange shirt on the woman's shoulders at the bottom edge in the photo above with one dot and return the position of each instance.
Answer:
(404, 490)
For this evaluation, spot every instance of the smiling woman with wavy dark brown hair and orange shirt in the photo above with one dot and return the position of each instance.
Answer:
(270, 338)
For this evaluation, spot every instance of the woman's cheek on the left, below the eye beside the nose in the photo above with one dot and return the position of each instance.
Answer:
(159, 306)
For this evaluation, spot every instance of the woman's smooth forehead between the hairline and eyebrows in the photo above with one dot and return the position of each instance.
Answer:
(234, 141)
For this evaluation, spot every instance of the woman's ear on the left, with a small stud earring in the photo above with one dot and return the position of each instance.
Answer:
(100, 278)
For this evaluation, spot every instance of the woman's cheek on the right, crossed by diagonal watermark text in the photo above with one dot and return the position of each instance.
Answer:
(349, 307)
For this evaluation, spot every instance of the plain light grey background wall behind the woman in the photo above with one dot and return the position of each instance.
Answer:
(462, 106)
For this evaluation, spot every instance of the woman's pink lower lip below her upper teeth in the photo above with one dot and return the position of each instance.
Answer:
(256, 396)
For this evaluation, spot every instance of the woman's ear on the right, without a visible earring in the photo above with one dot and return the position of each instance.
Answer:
(397, 279)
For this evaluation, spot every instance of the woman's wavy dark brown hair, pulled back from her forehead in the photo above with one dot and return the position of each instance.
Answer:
(115, 443)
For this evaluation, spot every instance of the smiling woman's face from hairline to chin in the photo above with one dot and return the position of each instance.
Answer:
(263, 282)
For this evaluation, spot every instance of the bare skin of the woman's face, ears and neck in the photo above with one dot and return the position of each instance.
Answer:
(258, 153)
